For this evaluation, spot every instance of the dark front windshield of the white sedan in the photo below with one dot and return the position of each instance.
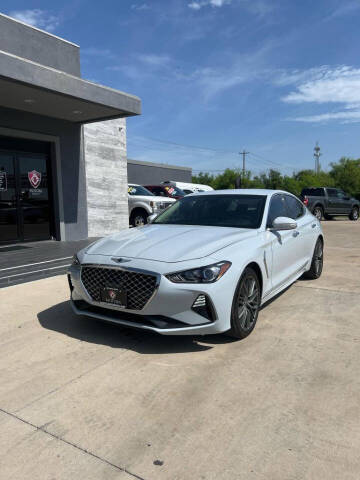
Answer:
(239, 211)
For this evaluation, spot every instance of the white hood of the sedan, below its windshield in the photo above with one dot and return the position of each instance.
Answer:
(169, 243)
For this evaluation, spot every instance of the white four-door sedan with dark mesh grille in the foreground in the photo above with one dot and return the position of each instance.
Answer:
(205, 265)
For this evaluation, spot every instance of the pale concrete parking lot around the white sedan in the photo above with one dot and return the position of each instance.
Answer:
(84, 400)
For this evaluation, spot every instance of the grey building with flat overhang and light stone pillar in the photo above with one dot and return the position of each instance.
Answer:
(63, 168)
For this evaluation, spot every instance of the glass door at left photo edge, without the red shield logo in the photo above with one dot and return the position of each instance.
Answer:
(8, 199)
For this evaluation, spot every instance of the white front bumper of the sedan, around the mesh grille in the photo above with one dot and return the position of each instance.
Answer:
(169, 311)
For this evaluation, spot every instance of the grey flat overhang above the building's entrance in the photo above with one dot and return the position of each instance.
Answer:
(31, 87)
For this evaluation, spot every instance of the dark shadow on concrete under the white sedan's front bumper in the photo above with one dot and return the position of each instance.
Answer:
(60, 318)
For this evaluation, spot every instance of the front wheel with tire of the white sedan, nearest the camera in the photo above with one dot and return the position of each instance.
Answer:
(246, 304)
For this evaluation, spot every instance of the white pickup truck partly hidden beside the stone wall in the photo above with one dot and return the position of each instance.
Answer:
(142, 204)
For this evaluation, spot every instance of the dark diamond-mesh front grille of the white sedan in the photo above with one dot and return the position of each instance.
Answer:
(139, 286)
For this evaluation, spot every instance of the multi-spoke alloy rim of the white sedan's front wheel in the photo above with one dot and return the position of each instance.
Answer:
(248, 302)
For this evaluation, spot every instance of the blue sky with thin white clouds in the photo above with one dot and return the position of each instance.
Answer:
(215, 77)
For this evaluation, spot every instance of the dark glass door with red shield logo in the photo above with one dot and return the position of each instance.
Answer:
(34, 211)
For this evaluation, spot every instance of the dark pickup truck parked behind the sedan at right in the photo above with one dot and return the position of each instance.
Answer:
(326, 202)
